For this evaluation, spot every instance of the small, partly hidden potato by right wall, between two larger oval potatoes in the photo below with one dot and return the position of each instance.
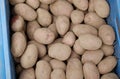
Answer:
(107, 49)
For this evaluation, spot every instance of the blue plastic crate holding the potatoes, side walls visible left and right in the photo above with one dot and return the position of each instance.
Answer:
(6, 62)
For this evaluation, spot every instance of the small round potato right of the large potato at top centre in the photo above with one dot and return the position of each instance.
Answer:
(77, 16)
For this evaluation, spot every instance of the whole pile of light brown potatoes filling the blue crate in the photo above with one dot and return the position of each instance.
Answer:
(62, 39)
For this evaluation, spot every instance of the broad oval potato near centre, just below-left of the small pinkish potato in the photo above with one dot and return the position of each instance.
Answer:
(59, 51)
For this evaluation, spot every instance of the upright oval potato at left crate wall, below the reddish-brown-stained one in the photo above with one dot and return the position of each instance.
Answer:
(18, 44)
